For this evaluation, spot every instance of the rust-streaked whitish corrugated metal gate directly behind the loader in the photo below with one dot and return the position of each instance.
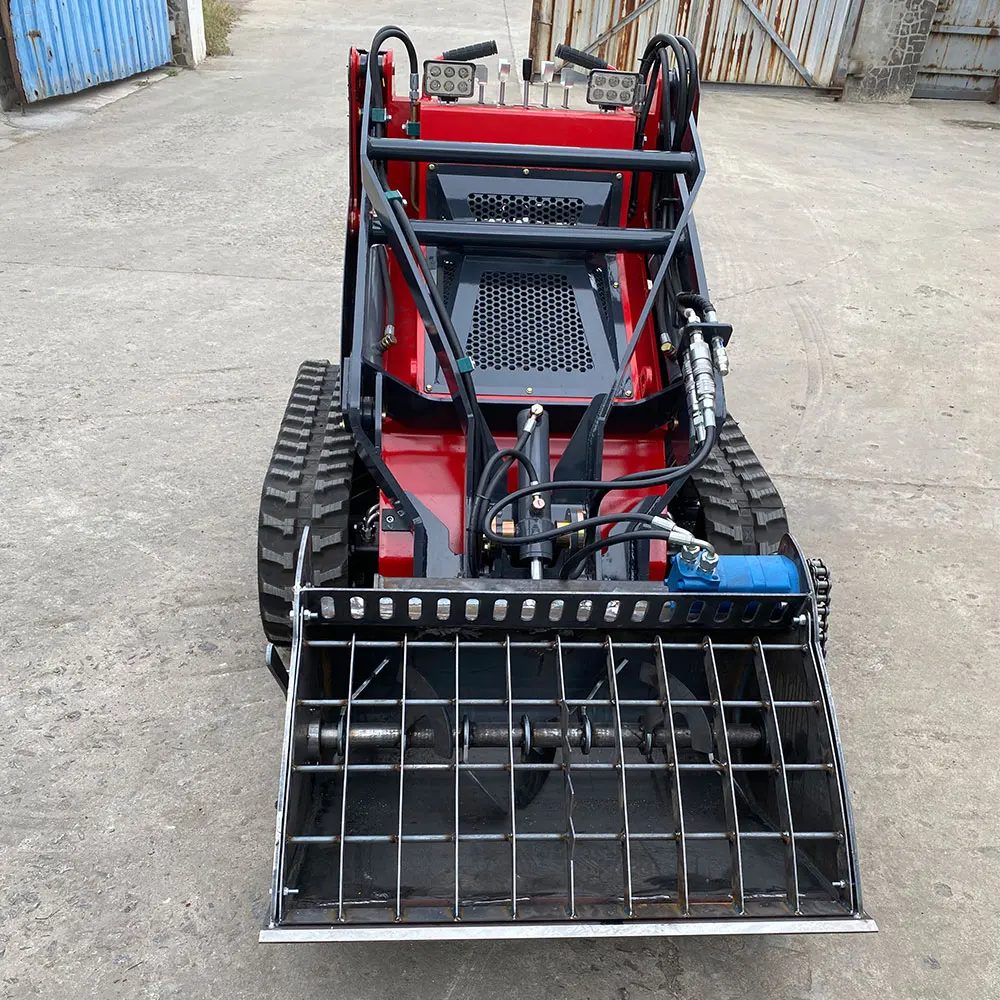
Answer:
(781, 42)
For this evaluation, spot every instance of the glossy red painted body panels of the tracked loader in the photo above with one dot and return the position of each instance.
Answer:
(430, 464)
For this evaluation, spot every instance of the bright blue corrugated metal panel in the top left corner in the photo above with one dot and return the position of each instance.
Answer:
(63, 46)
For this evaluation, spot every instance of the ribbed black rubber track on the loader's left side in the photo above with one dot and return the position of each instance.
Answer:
(308, 482)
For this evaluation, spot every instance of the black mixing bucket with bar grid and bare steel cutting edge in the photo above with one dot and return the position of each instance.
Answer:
(470, 759)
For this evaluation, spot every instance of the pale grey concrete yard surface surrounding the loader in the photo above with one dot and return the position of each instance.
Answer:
(166, 262)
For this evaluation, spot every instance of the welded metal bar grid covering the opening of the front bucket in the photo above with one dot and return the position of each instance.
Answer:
(683, 778)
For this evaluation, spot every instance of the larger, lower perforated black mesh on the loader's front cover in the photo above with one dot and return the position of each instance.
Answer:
(528, 321)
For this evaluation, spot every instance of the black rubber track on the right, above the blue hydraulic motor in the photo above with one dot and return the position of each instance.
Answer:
(741, 511)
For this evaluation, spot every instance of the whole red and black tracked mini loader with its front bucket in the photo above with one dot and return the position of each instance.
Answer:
(553, 664)
